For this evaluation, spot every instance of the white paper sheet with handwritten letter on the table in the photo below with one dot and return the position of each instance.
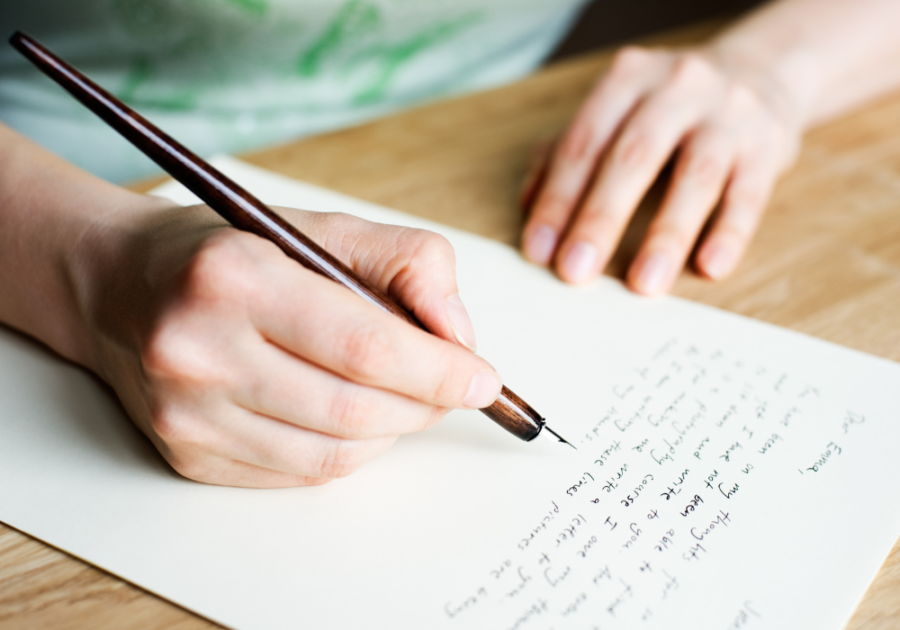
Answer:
(729, 475)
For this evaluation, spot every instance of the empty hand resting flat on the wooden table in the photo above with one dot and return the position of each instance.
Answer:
(731, 130)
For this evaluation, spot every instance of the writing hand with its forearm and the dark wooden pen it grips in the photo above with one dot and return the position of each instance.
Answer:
(240, 365)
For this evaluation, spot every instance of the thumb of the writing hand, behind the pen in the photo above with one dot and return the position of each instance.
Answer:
(417, 268)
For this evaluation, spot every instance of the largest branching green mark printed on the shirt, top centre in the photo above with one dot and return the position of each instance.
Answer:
(347, 34)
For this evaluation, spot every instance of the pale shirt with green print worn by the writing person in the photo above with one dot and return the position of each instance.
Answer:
(230, 75)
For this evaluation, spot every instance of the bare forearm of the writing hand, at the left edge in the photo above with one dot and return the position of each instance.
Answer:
(46, 207)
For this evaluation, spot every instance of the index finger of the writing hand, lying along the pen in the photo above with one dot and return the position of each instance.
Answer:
(332, 328)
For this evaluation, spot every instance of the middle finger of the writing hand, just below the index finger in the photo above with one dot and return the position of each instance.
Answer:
(283, 386)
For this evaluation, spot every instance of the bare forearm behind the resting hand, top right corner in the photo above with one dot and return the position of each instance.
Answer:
(826, 56)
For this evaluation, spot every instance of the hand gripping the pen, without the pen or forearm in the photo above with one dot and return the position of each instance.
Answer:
(246, 369)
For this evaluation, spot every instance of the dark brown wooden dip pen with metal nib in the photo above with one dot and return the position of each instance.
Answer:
(246, 212)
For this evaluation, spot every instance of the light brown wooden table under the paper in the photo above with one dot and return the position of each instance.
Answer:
(826, 262)
